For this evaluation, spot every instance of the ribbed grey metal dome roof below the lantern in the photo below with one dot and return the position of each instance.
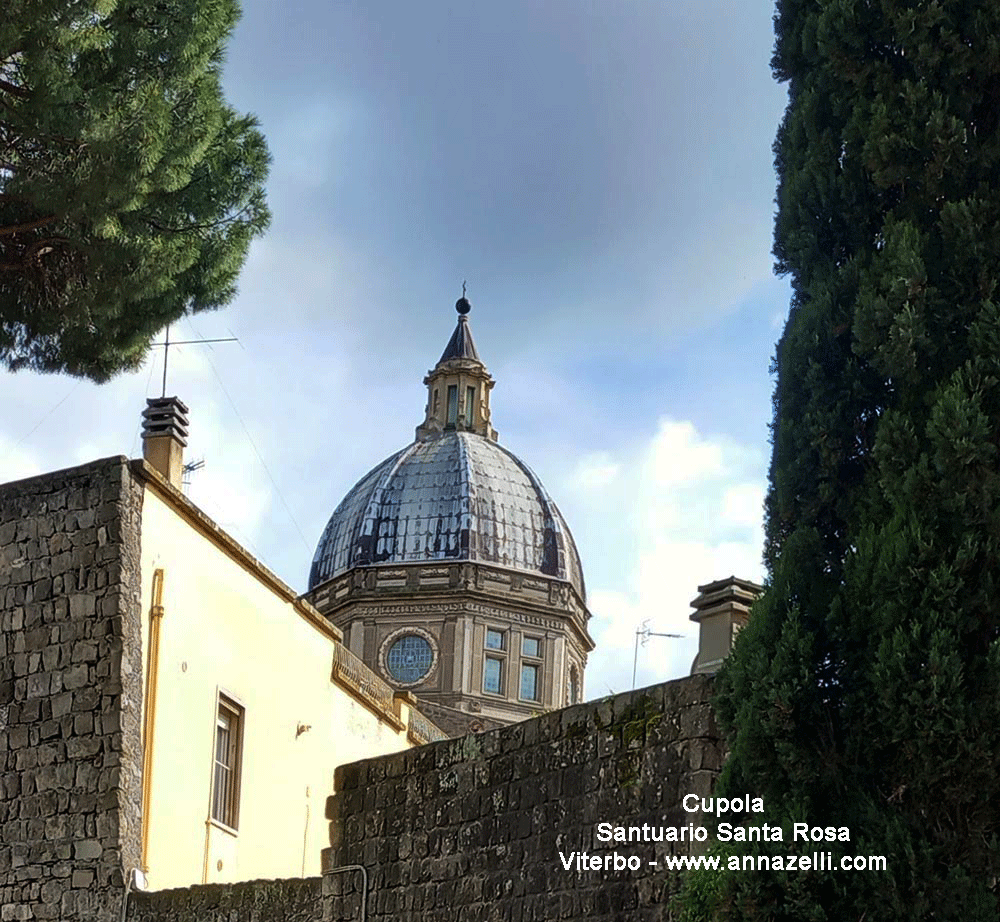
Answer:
(458, 496)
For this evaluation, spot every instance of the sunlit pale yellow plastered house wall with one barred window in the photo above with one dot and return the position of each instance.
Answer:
(247, 689)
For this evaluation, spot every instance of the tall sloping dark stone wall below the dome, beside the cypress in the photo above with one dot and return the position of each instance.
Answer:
(472, 829)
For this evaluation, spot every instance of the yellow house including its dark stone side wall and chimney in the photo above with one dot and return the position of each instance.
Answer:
(160, 686)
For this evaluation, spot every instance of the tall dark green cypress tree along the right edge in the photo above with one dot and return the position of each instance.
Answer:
(865, 691)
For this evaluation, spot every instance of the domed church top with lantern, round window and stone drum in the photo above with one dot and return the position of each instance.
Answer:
(451, 571)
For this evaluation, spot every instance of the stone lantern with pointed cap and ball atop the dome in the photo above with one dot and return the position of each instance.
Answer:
(458, 389)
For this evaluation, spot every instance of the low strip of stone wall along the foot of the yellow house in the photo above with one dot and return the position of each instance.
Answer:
(257, 901)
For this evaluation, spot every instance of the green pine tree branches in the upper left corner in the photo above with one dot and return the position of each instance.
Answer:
(129, 189)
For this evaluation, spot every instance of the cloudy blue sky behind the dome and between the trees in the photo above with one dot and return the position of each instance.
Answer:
(601, 175)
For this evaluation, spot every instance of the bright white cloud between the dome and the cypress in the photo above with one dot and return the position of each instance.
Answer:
(695, 515)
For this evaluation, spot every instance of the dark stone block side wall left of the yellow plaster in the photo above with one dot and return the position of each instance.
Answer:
(70, 691)
